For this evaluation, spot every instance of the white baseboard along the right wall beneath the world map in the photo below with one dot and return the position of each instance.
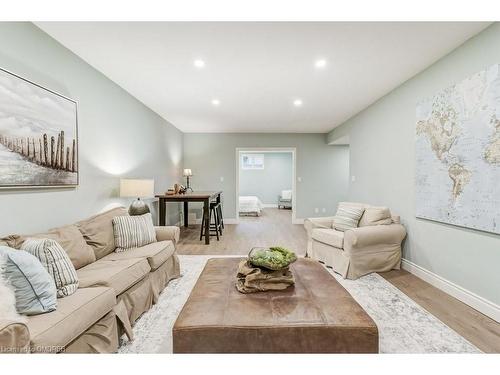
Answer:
(479, 303)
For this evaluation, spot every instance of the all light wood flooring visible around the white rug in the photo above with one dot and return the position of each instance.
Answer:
(275, 227)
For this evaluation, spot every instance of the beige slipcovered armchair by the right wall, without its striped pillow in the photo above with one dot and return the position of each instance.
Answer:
(374, 246)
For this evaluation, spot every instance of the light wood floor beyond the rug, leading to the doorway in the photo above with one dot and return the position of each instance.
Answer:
(273, 227)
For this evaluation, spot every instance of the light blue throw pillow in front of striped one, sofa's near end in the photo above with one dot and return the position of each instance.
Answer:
(35, 290)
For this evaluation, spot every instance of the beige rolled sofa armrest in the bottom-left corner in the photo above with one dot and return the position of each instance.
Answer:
(14, 336)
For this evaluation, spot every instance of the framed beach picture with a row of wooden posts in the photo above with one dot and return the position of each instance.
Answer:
(38, 135)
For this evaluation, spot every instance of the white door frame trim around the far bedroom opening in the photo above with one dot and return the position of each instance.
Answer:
(239, 150)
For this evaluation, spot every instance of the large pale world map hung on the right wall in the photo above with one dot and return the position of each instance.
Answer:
(458, 154)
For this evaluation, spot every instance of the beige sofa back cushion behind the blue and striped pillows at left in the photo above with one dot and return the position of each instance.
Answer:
(70, 239)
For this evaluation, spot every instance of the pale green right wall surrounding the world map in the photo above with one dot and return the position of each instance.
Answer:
(382, 158)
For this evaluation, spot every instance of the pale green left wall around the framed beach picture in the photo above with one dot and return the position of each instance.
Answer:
(118, 136)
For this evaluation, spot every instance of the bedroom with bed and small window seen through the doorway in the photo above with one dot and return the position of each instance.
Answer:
(265, 180)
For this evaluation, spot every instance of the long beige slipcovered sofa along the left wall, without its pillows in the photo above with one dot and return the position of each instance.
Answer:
(114, 289)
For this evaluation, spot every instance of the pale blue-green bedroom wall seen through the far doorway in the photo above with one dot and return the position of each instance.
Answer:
(268, 183)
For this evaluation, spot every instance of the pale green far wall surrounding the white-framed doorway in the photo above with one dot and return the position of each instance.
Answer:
(323, 169)
